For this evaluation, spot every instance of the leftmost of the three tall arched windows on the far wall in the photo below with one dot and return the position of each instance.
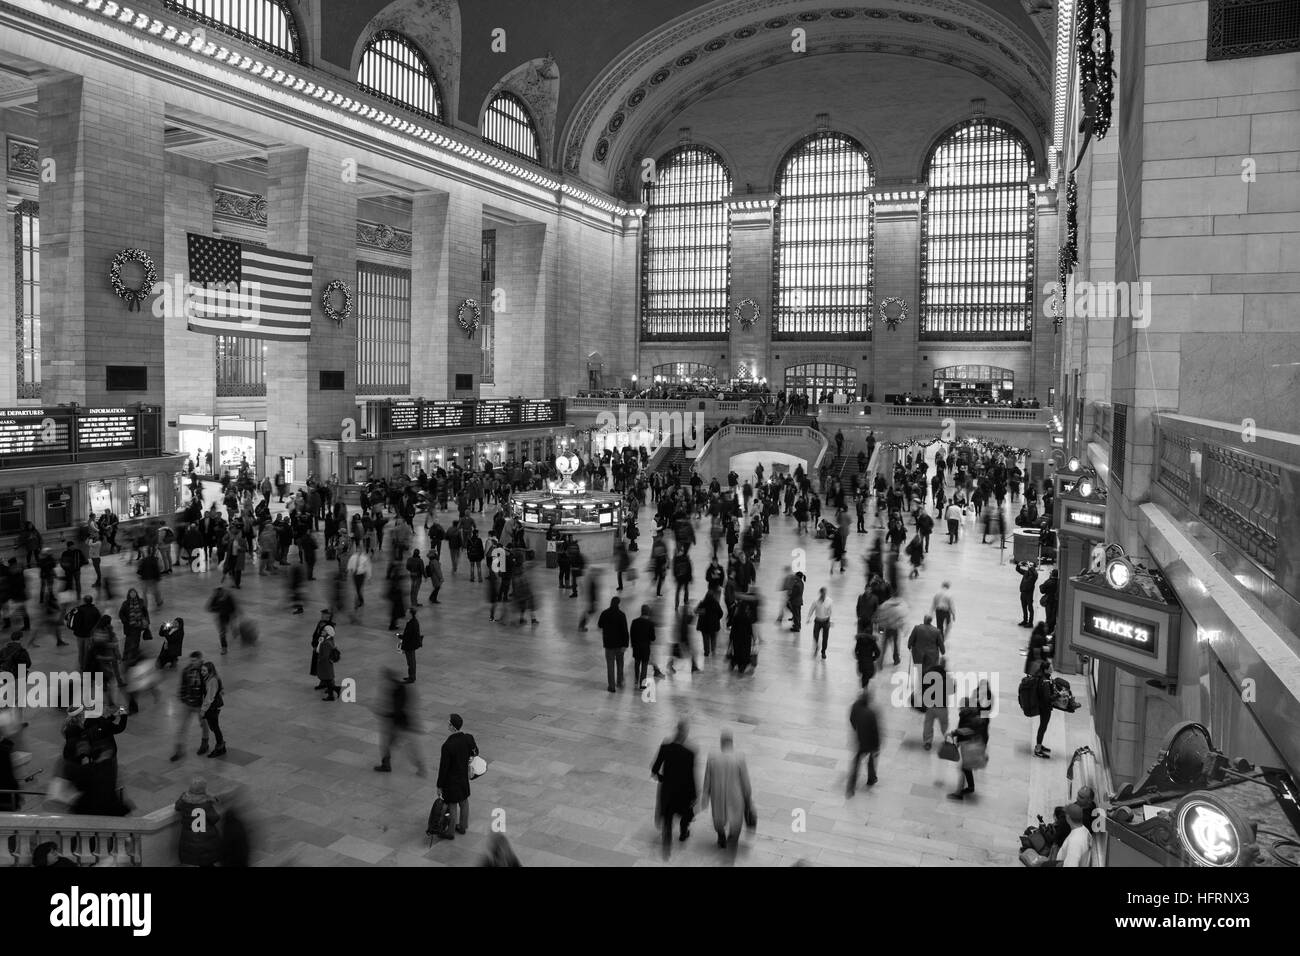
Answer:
(686, 248)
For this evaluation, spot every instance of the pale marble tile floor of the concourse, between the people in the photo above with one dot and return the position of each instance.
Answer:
(569, 780)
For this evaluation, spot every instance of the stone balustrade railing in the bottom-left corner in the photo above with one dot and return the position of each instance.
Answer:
(92, 841)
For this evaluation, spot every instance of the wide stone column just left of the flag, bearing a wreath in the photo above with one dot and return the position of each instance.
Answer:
(105, 194)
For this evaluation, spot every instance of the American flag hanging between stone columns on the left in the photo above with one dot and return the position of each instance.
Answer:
(246, 291)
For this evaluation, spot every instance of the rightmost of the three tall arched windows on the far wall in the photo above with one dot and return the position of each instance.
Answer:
(977, 241)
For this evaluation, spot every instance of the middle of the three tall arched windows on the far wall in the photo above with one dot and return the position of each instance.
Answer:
(822, 248)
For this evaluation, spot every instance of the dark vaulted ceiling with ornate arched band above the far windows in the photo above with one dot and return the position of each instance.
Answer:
(610, 51)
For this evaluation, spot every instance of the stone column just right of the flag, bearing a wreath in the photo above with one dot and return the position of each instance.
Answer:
(311, 211)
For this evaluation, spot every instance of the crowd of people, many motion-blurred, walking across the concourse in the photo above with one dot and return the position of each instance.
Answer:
(402, 533)
